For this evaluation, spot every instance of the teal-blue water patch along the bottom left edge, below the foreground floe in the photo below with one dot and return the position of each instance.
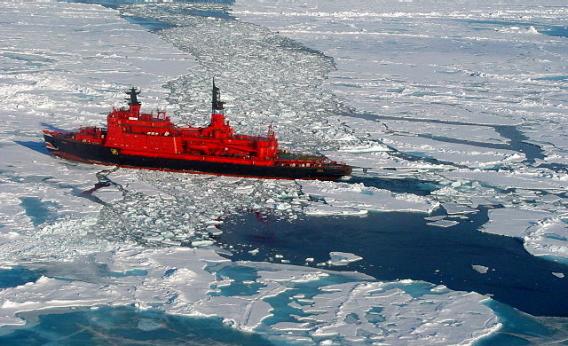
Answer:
(127, 326)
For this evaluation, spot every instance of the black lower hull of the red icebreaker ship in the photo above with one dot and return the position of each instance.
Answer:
(97, 154)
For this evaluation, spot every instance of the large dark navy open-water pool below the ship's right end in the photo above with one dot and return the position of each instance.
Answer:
(398, 245)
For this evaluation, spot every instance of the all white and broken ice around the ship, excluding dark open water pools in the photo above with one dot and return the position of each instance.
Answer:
(64, 65)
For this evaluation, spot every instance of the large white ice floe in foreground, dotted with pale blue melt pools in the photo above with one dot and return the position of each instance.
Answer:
(179, 281)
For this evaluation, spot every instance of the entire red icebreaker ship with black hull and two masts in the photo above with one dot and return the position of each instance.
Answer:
(133, 138)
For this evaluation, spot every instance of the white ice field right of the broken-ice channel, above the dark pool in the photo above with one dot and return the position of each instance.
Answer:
(437, 79)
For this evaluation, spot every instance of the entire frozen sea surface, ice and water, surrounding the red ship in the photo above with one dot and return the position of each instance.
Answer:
(446, 110)
